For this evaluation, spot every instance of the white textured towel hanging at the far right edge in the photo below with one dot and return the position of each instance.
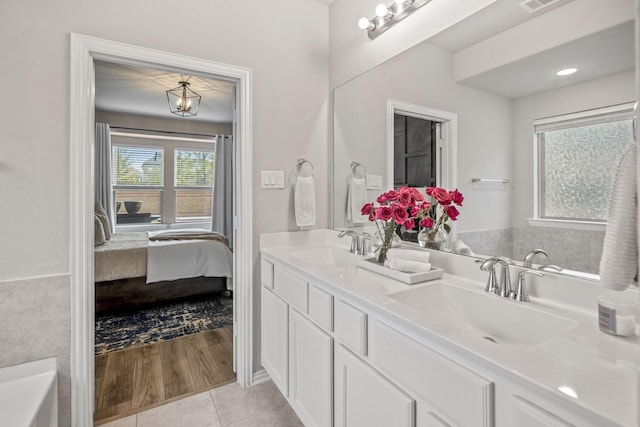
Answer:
(619, 261)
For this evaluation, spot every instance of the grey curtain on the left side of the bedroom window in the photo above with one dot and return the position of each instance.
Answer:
(103, 188)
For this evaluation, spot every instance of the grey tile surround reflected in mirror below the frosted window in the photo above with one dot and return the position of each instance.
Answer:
(516, 242)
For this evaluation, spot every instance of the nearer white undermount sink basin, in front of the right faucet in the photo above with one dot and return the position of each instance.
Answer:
(499, 320)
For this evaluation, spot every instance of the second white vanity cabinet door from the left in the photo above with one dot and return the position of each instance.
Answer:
(310, 372)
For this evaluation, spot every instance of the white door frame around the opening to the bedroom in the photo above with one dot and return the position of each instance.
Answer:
(84, 50)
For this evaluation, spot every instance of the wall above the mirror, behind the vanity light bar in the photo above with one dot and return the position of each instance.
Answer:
(352, 52)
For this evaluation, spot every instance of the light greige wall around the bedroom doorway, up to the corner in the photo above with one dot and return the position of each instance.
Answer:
(288, 53)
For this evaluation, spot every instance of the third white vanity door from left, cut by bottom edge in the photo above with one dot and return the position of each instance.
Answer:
(364, 398)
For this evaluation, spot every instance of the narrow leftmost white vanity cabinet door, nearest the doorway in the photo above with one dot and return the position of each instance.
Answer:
(275, 338)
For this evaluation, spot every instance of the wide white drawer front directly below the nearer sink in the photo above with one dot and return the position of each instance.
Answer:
(438, 381)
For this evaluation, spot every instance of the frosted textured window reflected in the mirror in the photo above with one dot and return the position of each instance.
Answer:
(577, 157)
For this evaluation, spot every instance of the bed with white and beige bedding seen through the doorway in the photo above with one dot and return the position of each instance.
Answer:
(133, 269)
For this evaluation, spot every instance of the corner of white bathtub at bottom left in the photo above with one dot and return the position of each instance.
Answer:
(29, 395)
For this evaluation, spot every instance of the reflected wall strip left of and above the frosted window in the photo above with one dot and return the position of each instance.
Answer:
(612, 90)
